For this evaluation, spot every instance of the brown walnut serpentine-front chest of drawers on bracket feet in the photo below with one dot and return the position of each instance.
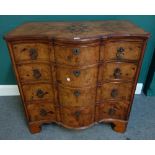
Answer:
(77, 74)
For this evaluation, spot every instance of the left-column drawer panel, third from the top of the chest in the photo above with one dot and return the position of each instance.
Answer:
(39, 92)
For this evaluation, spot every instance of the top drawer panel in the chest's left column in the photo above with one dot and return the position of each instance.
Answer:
(31, 51)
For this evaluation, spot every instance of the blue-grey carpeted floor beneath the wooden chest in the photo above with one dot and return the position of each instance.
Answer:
(141, 124)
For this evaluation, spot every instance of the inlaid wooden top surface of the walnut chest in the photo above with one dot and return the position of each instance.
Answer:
(76, 30)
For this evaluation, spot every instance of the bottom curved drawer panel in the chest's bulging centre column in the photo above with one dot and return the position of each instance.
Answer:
(77, 117)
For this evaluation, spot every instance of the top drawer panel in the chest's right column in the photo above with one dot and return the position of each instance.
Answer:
(121, 50)
